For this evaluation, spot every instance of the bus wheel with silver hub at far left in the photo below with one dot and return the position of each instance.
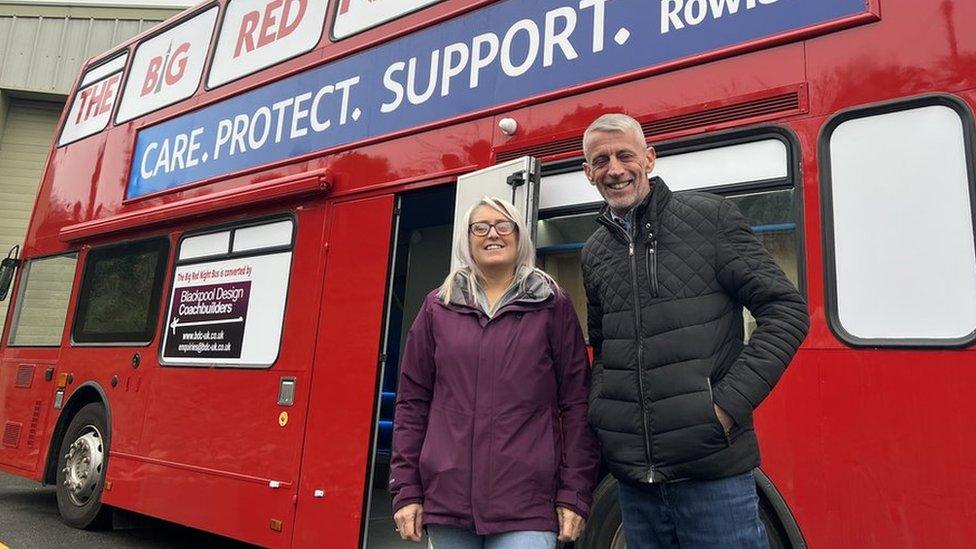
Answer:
(82, 461)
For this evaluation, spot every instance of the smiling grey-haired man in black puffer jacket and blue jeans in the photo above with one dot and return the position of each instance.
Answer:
(674, 387)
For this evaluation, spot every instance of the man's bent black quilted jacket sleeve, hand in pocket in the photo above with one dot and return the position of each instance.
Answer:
(751, 277)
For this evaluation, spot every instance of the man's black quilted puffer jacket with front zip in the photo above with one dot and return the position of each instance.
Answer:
(665, 323)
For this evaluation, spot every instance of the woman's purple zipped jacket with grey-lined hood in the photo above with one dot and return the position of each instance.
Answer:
(490, 432)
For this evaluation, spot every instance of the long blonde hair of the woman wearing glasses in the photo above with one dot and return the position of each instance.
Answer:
(524, 257)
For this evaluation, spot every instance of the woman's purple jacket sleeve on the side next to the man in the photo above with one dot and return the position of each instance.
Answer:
(580, 462)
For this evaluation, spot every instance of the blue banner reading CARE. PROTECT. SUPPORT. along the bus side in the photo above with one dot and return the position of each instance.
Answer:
(489, 57)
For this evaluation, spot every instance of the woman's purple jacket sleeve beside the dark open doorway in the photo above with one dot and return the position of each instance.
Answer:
(414, 393)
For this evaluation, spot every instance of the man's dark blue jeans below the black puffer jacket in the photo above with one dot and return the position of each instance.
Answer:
(722, 513)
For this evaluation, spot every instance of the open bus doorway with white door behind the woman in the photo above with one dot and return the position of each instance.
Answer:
(419, 262)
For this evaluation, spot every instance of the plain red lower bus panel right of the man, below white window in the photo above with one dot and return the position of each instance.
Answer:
(873, 448)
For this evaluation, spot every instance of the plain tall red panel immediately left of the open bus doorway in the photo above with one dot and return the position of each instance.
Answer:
(343, 391)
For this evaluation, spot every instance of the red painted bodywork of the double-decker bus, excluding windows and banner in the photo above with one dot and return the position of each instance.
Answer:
(869, 447)
